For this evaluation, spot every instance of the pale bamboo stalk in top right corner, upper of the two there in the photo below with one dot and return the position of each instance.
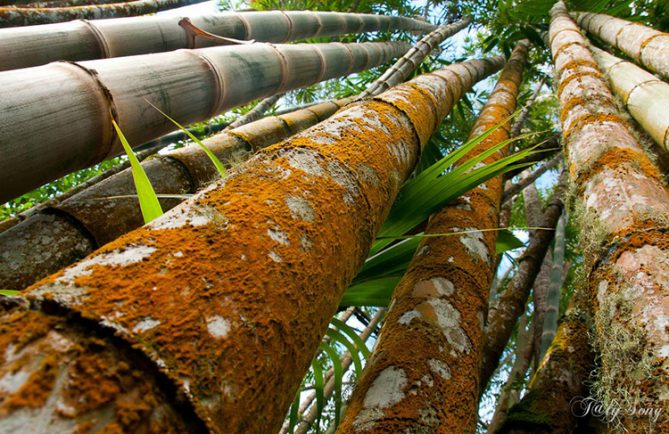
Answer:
(647, 46)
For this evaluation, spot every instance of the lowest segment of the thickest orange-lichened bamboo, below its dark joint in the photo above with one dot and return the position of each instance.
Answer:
(56, 377)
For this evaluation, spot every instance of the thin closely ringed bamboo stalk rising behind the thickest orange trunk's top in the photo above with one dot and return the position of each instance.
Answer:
(410, 61)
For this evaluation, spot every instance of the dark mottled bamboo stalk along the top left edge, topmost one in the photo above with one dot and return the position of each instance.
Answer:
(25, 16)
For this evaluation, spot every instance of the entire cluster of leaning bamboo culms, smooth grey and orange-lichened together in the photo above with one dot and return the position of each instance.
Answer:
(206, 319)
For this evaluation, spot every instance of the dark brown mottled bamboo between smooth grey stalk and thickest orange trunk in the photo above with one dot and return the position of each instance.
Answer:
(63, 233)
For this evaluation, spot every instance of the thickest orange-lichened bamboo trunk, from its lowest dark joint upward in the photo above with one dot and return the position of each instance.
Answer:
(230, 293)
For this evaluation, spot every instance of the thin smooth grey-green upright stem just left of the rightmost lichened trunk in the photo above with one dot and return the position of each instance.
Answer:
(554, 287)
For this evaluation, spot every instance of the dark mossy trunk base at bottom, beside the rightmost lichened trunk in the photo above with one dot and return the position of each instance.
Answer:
(558, 388)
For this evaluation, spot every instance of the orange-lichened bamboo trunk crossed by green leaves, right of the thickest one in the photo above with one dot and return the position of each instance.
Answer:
(423, 374)
